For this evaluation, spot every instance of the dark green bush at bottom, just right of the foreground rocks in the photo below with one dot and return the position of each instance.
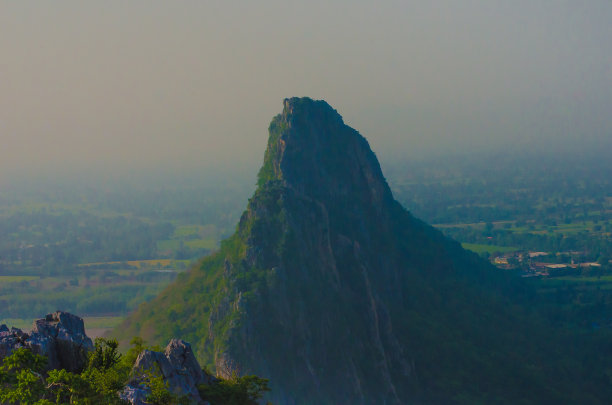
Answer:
(245, 390)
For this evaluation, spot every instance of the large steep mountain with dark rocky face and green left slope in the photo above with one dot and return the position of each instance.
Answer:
(331, 289)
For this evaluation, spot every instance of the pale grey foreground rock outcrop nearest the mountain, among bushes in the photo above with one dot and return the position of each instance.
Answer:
(176, 365)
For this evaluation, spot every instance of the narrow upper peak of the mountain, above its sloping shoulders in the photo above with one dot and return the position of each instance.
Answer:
(312, 151)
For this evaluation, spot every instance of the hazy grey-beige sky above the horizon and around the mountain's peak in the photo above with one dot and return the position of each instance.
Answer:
(186, 84)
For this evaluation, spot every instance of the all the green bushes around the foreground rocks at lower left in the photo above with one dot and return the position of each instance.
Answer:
(25, 380)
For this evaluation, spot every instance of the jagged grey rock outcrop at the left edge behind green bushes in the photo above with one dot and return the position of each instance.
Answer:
(59, 336)
